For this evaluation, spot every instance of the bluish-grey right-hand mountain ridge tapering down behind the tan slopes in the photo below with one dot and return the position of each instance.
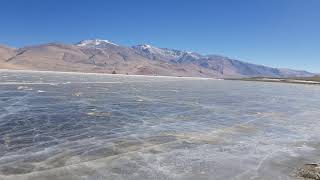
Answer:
(222, 65)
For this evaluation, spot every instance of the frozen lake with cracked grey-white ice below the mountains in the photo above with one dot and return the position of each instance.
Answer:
(90, 126)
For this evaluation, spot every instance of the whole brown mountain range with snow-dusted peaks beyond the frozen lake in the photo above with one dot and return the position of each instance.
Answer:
(104, 56)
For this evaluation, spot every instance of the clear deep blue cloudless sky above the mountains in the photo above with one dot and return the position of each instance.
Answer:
(278, 33)
